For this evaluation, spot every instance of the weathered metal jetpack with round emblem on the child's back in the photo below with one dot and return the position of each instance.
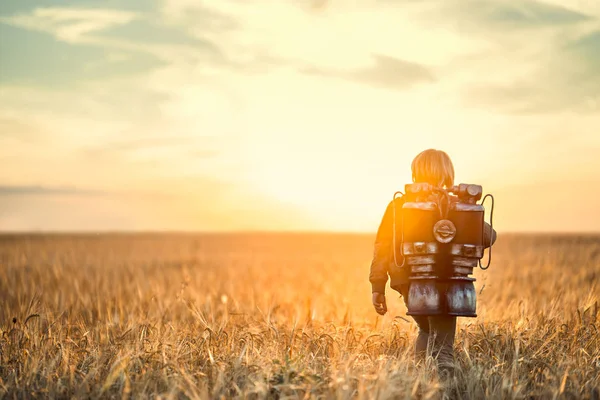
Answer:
(439, 236)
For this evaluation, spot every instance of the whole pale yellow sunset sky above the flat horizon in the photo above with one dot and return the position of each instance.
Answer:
(221, 115)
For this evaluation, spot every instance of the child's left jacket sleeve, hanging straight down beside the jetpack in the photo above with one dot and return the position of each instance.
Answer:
(382, 253)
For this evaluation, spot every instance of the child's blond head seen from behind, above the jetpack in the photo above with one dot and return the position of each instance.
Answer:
(433, 167)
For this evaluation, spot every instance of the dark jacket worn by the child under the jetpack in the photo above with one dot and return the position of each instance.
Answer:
(383, 256)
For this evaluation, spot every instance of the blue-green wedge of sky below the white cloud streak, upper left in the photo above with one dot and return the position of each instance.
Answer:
(36, 58)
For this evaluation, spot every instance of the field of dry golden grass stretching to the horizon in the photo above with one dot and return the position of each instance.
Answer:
(257, 316)
